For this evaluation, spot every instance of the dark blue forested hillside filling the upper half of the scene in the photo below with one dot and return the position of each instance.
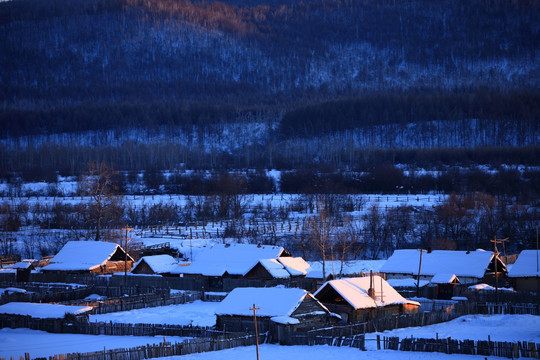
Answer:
(162, 84)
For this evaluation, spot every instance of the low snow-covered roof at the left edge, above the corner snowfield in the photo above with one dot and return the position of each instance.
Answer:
(42, 311)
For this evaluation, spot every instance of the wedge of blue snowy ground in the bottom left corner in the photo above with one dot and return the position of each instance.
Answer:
(17, 342)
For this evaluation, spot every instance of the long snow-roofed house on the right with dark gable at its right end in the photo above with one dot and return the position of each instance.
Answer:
(470, 267)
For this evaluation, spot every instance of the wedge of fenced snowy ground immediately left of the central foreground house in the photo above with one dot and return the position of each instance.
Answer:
(198, 313)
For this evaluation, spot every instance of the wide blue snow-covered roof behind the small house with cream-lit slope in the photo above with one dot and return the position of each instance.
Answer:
(235, 259)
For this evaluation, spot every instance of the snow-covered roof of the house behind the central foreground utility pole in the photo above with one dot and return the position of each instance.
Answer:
(276, 301)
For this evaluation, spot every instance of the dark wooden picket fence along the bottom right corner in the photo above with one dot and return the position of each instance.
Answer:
(469, 347)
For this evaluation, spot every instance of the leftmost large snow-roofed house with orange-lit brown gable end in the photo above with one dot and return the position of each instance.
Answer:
(89, 257)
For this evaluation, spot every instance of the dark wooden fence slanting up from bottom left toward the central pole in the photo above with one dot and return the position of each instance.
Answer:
(164, 349)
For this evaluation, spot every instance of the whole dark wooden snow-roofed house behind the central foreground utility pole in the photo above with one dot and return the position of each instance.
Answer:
(279, 310)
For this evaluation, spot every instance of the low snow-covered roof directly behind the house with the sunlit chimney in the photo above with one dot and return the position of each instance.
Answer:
(350, 267)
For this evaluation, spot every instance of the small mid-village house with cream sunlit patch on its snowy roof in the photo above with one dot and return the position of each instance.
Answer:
(280, 268)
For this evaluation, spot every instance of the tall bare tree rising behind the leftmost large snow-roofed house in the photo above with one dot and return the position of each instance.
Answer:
(99, 183)
